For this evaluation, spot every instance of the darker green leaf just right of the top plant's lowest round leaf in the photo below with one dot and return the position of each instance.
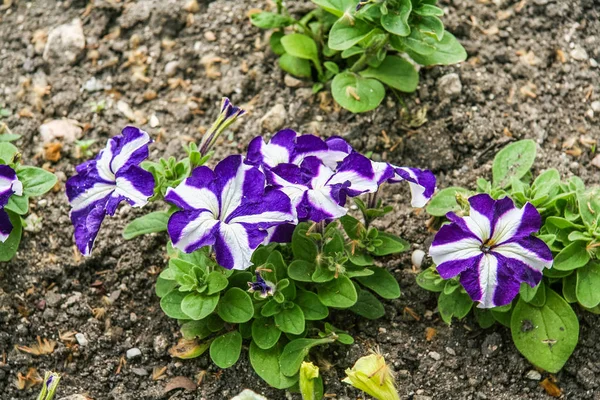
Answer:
(396, 72)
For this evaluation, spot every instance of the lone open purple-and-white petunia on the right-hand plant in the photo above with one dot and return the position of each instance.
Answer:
(492, 250)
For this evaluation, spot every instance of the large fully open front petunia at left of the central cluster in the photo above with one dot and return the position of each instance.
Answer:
(228, 209)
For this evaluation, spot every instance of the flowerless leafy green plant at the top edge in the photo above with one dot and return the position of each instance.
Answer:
(359, 48)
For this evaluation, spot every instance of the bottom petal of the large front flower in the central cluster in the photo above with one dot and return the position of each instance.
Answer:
(235, 244)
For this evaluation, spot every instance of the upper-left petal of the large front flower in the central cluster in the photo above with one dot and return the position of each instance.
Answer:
(196, 192)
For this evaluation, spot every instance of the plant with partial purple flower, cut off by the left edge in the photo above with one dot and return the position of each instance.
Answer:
(18, 183)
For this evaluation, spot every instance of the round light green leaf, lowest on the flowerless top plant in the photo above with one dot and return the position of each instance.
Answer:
(355, 93)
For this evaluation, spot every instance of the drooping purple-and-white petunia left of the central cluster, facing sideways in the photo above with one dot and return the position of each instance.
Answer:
(101, 184)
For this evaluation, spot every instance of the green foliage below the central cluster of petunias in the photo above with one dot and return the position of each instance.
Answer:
(325, 268)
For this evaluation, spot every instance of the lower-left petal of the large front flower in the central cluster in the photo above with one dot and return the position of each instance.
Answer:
(191, 230)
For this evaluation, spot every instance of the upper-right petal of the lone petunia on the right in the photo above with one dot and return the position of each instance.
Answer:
(514, 224)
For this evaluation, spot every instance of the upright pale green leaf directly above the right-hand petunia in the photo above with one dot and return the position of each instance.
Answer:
(513, 162)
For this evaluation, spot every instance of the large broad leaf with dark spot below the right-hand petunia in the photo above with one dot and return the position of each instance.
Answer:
(546, 335)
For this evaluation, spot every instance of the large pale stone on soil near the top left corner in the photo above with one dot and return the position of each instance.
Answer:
(65, 43)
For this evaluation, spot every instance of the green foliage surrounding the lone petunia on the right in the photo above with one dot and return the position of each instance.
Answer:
(544, 326)
